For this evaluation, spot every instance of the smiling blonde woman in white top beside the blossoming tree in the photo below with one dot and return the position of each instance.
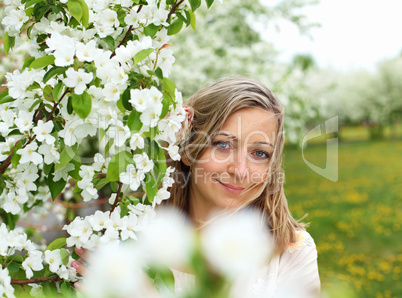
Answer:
(231, 160)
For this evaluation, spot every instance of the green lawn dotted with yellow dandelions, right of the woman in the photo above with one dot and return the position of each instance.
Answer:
(356, 221)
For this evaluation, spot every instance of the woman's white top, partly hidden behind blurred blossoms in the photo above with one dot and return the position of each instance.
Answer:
(292, 274)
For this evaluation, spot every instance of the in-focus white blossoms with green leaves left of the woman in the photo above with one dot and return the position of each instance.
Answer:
(97, 68)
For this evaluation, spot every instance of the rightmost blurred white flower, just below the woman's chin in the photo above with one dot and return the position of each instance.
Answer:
(236, 243)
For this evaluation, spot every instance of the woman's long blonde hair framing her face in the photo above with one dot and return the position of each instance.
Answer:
(212, 106)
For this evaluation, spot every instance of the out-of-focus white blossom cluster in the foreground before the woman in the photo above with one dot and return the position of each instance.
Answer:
(226, 240)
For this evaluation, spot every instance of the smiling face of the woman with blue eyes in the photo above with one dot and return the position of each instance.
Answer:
(232, 169)
